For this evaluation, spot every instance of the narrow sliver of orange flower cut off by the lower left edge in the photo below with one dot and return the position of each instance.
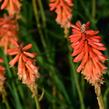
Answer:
(2, 76)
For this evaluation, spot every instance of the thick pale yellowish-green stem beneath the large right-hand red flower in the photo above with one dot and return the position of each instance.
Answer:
(99, 97)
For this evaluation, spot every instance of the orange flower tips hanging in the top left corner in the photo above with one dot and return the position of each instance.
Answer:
(12, 6)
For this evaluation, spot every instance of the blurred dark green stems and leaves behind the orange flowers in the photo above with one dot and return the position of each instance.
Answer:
(63, 87)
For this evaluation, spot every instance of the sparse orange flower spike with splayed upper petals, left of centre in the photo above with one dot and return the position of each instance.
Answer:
(27, 71)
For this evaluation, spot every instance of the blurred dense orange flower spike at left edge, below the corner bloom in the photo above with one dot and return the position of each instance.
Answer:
(8, 32)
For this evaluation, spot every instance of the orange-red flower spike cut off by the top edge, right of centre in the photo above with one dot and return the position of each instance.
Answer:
(63, 9)
